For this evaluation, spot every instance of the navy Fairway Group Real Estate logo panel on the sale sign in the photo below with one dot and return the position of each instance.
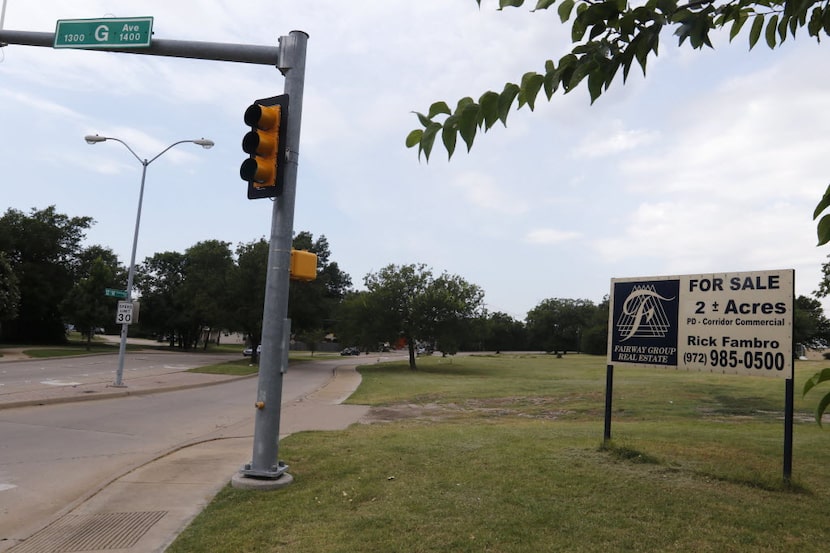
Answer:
(643, 323)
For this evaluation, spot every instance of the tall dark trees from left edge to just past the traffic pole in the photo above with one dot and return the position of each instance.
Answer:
(48, 281)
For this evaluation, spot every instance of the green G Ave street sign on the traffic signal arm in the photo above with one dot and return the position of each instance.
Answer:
(110, 32)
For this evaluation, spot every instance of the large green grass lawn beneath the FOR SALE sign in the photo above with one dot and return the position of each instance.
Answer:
(504, 454)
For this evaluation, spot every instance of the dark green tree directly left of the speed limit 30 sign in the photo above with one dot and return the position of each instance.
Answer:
(85, 305)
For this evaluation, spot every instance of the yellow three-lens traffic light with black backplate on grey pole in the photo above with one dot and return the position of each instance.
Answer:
(266, 144)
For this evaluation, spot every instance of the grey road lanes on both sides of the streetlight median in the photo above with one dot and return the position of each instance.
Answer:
(52, 456)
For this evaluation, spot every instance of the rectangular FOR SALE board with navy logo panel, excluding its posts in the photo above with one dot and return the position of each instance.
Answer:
(728, 322)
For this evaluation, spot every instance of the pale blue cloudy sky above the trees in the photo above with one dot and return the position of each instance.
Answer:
(713, 163)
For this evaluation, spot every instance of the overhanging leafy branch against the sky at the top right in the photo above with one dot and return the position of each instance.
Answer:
(613, 35)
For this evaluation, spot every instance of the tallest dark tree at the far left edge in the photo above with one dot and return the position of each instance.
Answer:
(42, 249)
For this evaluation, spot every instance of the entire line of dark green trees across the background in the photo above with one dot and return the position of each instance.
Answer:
(48, 281)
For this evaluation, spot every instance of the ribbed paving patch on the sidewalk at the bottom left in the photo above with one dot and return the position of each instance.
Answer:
(91, 533)
